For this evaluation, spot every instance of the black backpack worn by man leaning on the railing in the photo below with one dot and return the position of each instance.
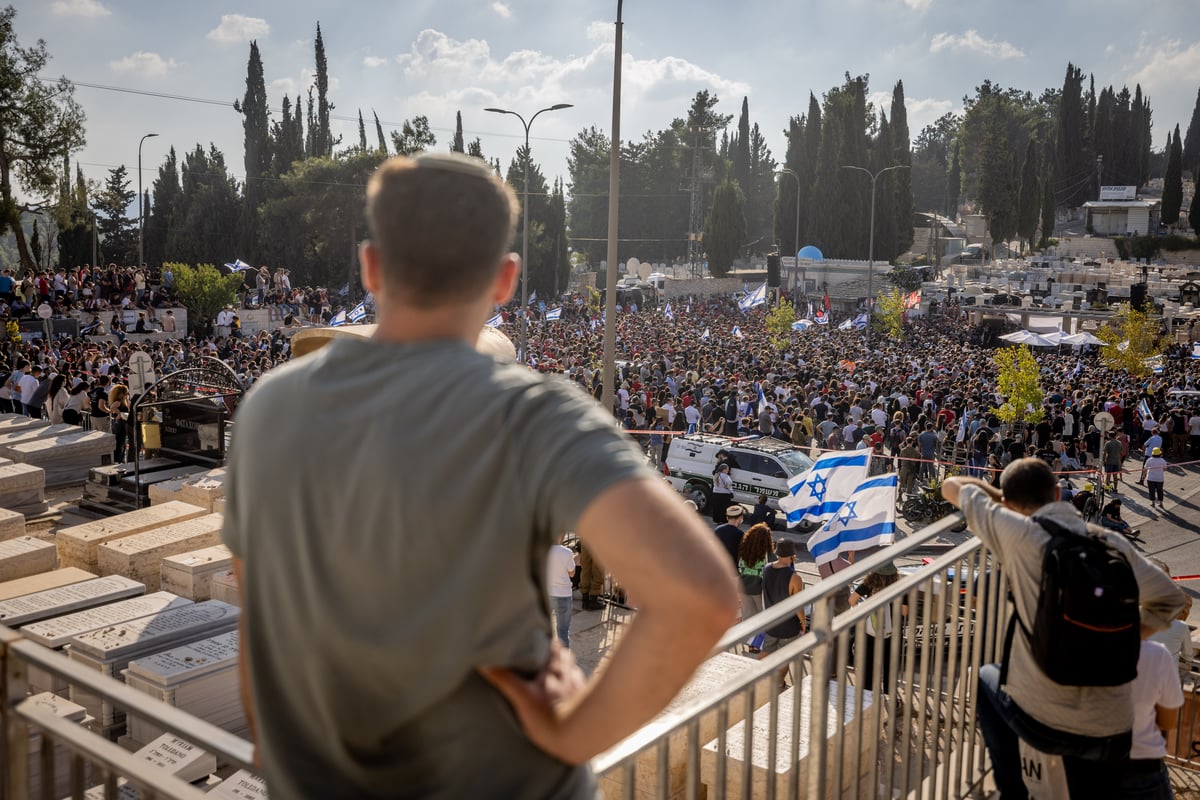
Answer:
(1088, 628)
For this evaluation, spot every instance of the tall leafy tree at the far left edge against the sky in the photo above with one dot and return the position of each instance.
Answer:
(40, 122)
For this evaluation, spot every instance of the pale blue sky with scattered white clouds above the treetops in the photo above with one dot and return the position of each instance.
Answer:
(439, 57)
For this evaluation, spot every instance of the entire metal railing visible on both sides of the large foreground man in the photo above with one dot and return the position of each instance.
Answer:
(901, 725)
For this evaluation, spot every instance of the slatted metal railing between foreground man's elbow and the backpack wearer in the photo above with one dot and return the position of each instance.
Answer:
(865, 718)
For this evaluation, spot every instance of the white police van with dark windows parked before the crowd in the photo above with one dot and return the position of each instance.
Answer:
(758, 465)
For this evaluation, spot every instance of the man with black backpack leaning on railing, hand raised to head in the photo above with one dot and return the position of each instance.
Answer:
(1079, 596)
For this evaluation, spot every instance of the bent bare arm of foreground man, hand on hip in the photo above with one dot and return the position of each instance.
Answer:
(687, 598)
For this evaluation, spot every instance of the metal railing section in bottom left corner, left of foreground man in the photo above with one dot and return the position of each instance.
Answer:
(92, 759)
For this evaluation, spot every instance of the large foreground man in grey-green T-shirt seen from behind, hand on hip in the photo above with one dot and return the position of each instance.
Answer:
(445, 678)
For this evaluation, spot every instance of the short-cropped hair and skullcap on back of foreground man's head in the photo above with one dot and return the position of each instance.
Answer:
(442, 225)
